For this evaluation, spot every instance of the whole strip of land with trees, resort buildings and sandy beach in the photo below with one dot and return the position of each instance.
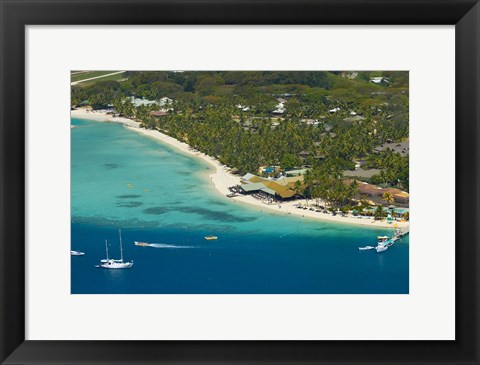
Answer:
(328, 144)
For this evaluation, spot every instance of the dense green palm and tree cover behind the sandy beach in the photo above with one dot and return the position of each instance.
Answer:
(329, 120)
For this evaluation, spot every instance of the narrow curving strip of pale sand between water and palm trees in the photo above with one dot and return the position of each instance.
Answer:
(222, 179)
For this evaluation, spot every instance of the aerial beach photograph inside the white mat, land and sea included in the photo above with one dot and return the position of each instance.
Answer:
(240, 182)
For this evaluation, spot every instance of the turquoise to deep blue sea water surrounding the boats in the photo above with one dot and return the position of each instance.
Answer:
(121, 179)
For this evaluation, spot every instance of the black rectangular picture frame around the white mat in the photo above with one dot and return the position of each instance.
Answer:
(15, 15)
